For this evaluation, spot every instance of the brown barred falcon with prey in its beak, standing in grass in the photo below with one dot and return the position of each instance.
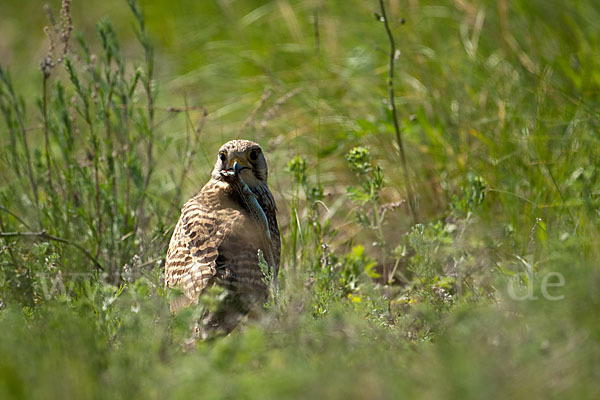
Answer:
(219, 235)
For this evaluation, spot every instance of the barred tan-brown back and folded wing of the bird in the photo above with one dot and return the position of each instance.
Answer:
(214, 238)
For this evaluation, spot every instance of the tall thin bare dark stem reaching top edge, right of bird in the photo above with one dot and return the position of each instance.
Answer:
(410, 193)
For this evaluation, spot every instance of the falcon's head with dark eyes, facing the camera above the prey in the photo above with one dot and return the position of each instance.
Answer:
(242, 158)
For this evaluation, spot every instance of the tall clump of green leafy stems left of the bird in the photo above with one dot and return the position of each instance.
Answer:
(87, 192)
